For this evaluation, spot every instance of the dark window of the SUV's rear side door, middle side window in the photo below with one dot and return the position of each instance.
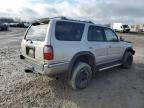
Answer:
(95, 33)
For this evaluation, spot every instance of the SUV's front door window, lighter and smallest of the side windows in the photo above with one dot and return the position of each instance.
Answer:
(110, 35)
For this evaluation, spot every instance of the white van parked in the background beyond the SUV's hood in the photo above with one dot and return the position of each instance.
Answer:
(120, 27)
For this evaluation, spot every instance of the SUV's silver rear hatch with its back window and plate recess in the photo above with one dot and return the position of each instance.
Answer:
(33, 43)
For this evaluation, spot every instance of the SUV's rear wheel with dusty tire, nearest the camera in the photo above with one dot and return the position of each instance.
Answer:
(81, 77)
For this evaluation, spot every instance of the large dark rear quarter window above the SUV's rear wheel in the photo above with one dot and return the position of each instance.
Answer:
(69, 31)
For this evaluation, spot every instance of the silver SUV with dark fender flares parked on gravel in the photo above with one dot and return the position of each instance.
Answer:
(76, 49)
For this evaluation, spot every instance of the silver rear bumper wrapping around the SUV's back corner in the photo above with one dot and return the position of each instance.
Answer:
(48, 69)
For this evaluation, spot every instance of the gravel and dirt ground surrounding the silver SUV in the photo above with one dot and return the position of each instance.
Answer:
(113, 88)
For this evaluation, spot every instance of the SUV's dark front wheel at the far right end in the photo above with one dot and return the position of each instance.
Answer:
(127, 60)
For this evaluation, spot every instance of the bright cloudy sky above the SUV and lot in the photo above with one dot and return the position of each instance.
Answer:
(99, 11)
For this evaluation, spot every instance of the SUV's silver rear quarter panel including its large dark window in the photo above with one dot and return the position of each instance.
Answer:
(67, 40)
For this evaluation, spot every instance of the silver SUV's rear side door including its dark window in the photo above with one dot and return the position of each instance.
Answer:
(97, 43)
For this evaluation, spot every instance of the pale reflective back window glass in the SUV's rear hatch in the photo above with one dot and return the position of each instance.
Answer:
(37, 32)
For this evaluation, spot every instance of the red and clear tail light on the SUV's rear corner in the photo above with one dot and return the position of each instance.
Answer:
(48, 52)
